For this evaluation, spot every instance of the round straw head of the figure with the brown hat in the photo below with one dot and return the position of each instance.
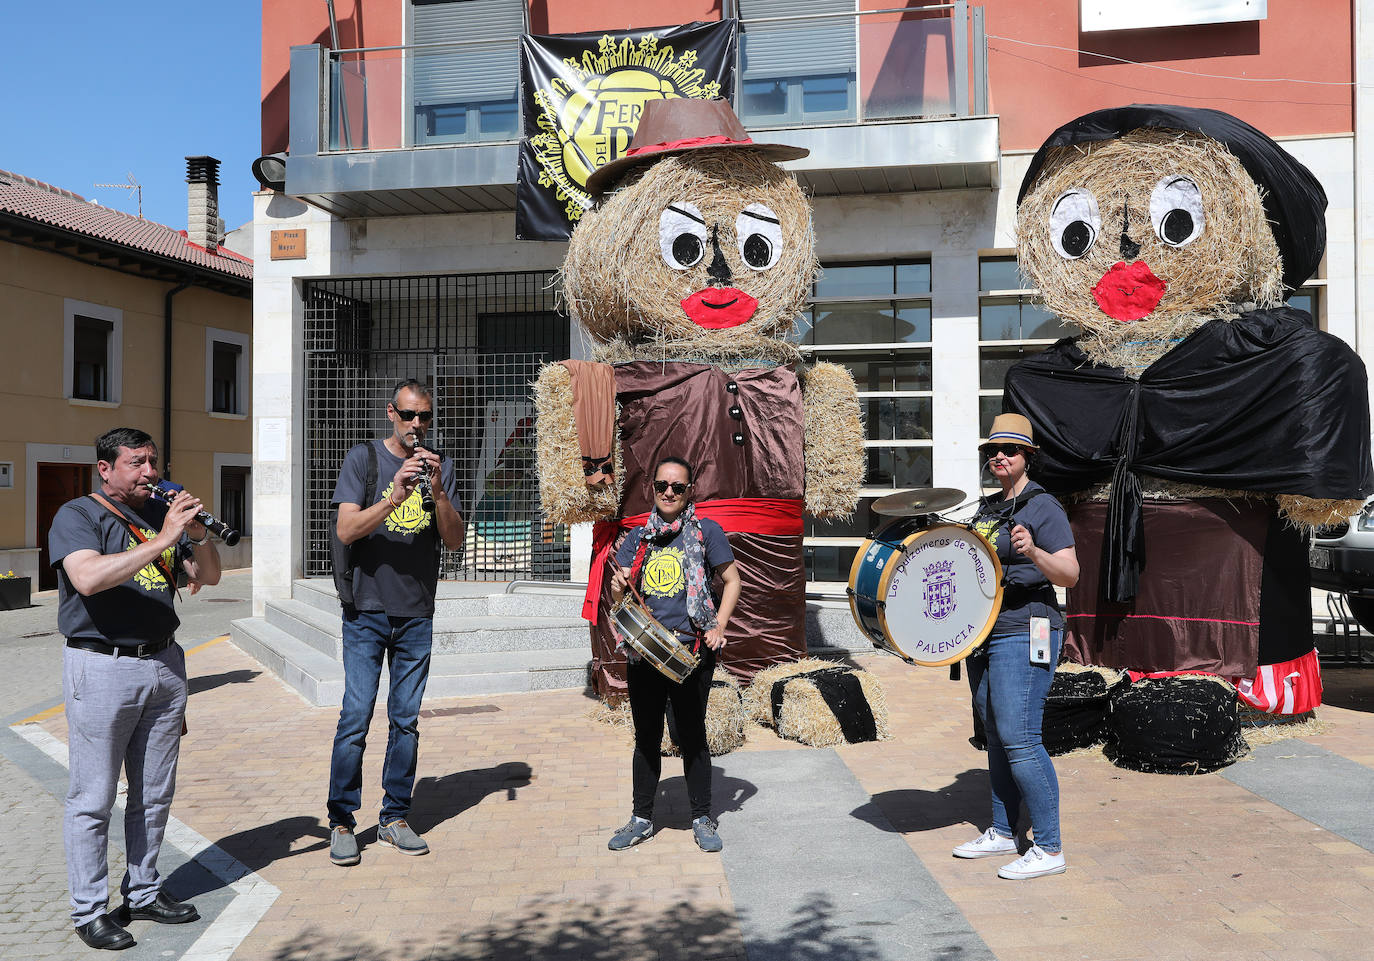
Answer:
(623, 294)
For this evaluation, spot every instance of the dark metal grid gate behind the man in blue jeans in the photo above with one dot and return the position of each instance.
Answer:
(479, 342)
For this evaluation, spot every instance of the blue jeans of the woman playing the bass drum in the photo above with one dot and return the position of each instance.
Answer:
(1009, 692)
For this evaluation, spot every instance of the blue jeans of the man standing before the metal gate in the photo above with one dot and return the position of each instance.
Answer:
(406, 643)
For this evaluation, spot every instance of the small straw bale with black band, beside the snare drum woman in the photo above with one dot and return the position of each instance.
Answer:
(831, 706)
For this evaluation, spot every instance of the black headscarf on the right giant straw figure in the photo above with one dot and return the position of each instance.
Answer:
(1295, 203)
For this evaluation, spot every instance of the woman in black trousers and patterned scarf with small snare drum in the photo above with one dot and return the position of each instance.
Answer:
(671, 562)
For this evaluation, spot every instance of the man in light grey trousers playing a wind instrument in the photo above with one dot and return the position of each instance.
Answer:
(124, 677)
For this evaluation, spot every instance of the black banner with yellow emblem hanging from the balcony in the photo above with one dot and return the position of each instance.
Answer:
(582, 96)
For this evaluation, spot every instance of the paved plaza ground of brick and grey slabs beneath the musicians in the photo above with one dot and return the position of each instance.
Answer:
(519, 795)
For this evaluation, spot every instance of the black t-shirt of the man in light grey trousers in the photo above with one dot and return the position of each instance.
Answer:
(139, 611)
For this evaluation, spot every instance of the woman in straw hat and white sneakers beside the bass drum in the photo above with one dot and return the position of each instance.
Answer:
(1011, 676)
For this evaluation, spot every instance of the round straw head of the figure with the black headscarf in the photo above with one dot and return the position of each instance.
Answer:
(1233, 266)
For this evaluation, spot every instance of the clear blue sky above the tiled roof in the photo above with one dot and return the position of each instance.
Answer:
(98, 90)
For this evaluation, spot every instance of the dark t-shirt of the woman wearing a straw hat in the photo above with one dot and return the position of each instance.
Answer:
(1026, 590)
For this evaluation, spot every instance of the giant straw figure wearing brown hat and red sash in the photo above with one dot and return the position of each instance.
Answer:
(689, 277)
